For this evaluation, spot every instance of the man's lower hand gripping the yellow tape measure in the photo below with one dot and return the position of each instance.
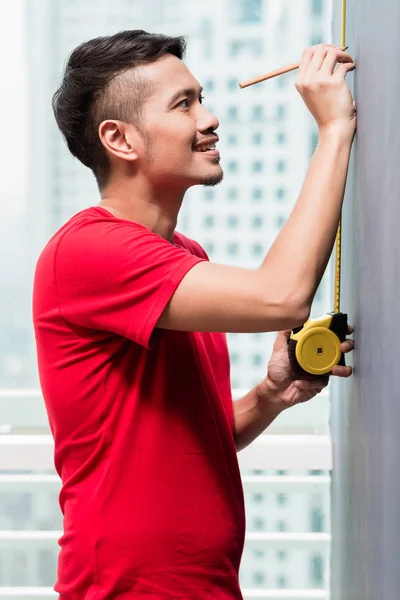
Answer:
(280, 385)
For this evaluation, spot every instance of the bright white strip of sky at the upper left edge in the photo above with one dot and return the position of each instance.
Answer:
(13, 102)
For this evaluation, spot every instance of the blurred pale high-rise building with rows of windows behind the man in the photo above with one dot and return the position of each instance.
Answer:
(266, 141)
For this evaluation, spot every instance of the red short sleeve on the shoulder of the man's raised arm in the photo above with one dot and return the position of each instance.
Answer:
(118, 276)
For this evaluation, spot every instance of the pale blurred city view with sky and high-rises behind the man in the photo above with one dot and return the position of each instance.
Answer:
(267, 138)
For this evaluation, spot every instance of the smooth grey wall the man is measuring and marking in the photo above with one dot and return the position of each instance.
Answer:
(366, 410)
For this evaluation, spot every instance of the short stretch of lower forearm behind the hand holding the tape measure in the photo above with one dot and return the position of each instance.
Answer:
(253, 414)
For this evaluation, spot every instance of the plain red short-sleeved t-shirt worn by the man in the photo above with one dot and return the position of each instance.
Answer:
(142, 419)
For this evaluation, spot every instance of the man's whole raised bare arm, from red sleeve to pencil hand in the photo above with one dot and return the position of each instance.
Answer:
(278, 295)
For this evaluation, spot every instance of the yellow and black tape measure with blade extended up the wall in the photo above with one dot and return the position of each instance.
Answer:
(314, 348)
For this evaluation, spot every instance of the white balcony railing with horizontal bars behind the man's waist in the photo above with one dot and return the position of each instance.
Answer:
(290, 444)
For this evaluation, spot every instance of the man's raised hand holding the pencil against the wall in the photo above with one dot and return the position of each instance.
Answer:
(324, 89)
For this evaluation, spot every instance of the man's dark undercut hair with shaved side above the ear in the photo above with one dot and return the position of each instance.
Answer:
(100, 83)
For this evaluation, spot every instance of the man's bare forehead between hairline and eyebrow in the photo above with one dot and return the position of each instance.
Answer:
(166, 76)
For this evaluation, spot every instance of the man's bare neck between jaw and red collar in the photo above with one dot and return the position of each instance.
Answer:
(155, 209)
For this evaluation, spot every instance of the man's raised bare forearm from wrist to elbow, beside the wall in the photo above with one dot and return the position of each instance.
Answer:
(302, 250)
